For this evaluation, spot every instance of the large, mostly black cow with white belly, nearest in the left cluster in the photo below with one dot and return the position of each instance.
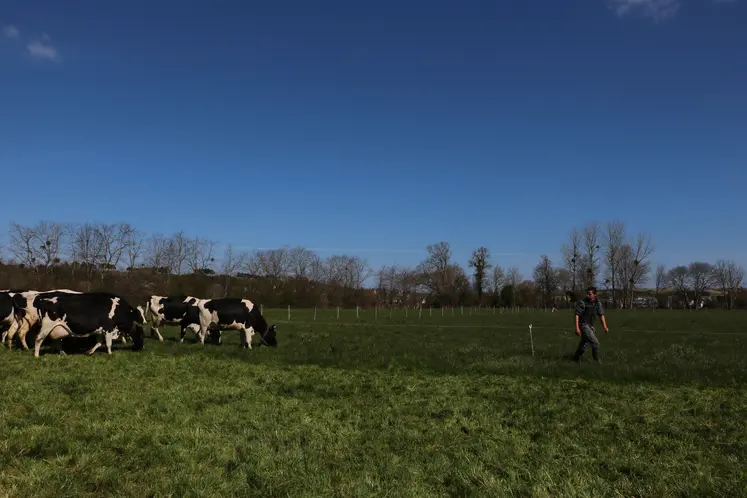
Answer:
(83, 315)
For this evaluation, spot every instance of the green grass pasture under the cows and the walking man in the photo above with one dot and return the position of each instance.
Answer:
(437, 406)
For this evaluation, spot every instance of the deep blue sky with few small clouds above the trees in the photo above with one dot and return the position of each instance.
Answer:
(376, 128)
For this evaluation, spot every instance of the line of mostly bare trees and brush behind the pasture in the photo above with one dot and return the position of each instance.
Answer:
(120, 258)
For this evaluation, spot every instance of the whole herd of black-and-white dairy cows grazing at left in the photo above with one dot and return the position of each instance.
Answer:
(64, 315)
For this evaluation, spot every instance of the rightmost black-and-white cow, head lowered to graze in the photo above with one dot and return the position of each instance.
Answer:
(234, 314)
